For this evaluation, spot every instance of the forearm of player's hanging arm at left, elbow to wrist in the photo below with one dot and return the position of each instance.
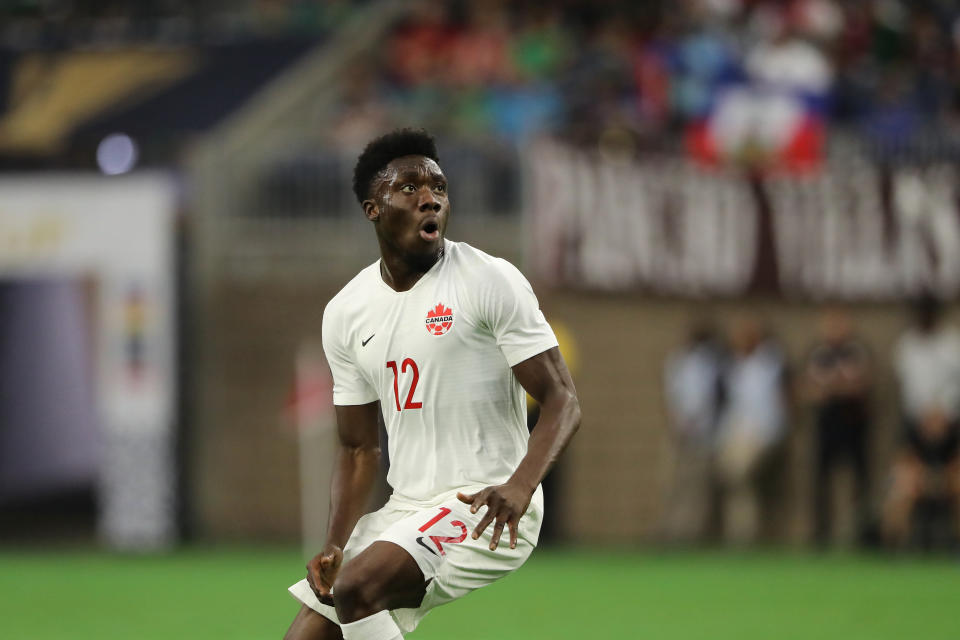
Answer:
(354, 473)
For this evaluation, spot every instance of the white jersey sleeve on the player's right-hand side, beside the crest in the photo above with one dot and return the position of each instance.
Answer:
(512, 313)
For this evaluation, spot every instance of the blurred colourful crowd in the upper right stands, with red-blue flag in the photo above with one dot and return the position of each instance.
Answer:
(738, 78)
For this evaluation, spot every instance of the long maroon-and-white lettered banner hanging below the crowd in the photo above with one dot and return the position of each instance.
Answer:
(665, 225)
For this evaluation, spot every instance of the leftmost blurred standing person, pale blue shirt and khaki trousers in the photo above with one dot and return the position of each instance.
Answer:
(694, 396)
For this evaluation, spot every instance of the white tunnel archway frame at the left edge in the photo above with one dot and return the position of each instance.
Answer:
(118, 233)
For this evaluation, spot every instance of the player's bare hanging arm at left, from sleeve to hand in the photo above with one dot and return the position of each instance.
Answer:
(354, 472)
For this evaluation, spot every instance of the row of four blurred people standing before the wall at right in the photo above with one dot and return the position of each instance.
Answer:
(731, 398)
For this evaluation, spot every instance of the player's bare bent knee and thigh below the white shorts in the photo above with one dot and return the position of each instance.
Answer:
(382, 576)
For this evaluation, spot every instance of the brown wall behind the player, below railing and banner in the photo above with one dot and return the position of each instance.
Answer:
(244, 456)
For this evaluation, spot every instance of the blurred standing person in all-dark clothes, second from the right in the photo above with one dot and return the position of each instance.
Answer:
(838, 381)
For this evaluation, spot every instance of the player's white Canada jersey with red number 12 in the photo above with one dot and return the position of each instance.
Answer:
(438, 358)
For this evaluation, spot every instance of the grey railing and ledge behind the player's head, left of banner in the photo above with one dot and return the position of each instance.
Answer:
(290, 215)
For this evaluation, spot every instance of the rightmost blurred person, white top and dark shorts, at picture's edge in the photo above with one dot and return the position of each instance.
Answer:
(927, 470)
